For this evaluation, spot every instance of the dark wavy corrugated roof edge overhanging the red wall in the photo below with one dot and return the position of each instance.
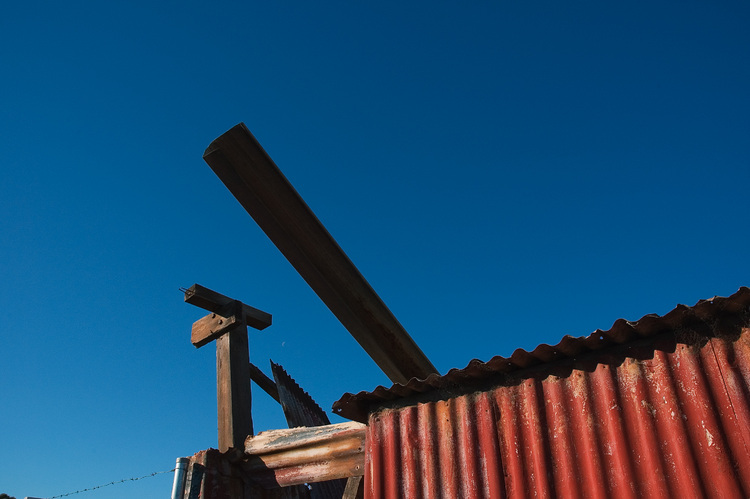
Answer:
(685, 324)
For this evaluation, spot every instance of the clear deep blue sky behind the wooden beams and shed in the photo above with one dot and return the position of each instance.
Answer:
(503, 174)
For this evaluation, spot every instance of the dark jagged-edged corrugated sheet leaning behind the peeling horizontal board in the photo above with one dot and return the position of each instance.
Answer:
(301, 410)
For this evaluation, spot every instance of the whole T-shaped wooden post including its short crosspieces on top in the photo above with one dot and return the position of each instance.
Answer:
(227, 324)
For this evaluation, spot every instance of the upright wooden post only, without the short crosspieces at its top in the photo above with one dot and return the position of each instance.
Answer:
(233, 388)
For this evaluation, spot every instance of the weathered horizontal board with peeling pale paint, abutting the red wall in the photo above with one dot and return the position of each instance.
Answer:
(280, 458)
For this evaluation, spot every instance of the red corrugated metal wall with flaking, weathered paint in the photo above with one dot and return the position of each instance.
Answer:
(675, 424)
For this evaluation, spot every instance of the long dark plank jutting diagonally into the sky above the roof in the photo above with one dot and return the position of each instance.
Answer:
(252, 177)
